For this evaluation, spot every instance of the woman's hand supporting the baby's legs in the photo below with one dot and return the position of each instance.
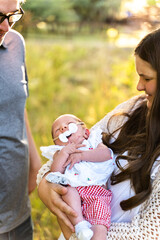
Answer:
(50, 194)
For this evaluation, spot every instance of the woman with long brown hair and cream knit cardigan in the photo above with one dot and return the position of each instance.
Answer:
(133, 132)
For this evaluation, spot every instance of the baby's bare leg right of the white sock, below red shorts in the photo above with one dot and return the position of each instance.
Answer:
(100, 232)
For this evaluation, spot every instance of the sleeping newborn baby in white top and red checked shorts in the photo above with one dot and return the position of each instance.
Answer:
(82, 163)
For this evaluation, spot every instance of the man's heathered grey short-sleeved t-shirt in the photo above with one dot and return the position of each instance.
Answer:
(14, 164)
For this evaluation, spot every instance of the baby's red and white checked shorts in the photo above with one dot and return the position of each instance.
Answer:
(96, 204)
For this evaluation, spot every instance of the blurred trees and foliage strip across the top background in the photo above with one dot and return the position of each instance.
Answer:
(69, 17)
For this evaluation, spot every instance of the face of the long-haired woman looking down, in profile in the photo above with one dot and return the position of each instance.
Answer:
(147, 79)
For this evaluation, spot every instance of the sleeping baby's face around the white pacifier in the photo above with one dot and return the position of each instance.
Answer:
(61, 125)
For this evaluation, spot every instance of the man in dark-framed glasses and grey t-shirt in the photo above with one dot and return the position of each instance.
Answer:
(19, 159)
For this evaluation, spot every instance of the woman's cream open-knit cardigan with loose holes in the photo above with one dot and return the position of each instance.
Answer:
(146, 224)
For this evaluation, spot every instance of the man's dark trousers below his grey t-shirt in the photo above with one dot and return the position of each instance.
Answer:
(22, 232)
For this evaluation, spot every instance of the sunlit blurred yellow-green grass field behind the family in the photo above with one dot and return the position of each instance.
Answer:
(85, 78)
